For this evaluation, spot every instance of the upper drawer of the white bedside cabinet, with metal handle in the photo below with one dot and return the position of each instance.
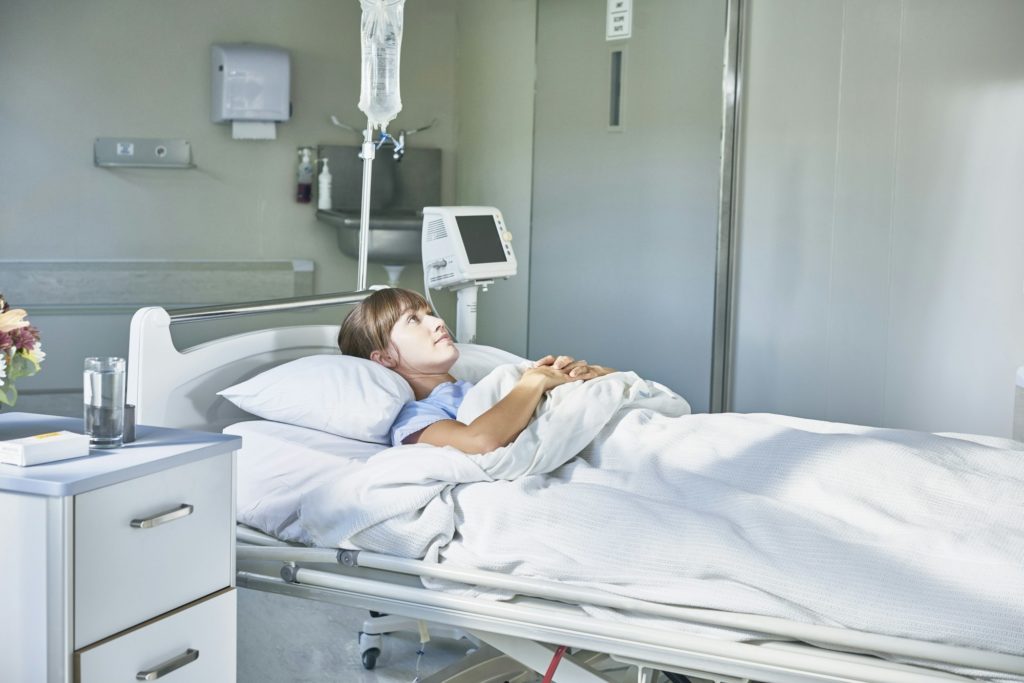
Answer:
(150, 545)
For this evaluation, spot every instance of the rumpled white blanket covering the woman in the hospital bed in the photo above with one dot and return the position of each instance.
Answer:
(615, 486)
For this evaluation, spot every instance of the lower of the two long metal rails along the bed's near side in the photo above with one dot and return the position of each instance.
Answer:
(660, 649)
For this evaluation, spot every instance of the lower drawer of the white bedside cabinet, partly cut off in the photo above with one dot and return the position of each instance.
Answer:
(194, 646)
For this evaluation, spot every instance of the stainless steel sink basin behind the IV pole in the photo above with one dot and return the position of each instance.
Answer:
(395, 237)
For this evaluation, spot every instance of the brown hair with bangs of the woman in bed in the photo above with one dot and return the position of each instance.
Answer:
(368, 327)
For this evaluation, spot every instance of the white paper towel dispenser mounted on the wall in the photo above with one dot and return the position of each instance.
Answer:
(251, 89)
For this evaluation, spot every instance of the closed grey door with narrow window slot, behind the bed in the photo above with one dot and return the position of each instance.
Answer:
(625, 217)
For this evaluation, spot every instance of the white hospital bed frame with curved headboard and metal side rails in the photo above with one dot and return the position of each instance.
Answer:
(179, 389)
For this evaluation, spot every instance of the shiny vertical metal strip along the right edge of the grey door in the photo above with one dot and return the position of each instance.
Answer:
(722, 344)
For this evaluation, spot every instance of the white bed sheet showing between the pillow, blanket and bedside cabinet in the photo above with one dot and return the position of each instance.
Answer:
(280, 463)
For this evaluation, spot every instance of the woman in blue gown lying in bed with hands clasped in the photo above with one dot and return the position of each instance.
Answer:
(398, 329)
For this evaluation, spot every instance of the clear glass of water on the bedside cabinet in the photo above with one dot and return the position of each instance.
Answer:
(104, 399)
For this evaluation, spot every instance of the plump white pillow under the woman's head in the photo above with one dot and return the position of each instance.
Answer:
(339, 395)
